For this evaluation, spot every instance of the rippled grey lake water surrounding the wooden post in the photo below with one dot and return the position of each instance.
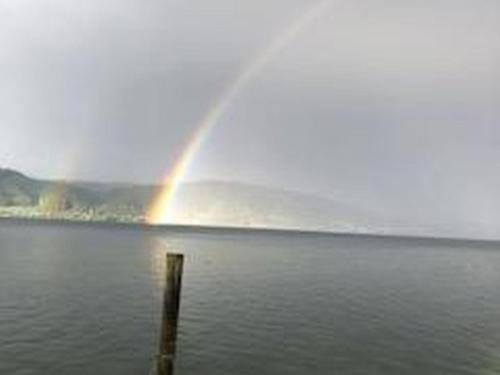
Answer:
(84, 299)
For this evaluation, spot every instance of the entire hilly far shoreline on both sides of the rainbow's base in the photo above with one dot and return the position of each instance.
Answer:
(202, 203)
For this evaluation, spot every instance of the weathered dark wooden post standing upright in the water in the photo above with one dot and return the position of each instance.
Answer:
(171, 303)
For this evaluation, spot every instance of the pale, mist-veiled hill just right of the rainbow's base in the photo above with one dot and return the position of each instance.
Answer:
(233, 203)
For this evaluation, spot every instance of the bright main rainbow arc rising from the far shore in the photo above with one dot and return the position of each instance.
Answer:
(161, 209)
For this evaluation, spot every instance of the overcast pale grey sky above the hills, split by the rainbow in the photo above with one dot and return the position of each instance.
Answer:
(391, 103)
